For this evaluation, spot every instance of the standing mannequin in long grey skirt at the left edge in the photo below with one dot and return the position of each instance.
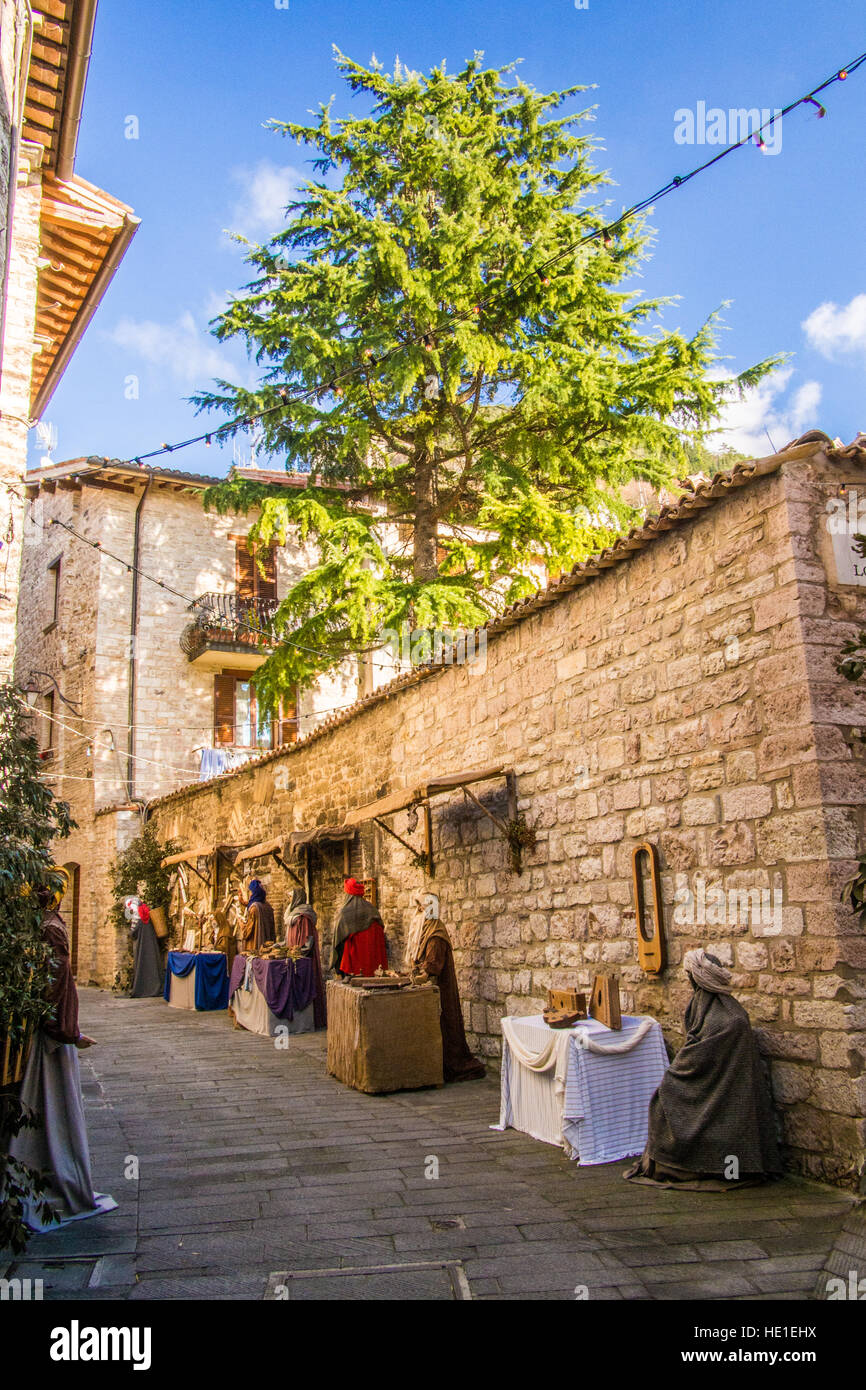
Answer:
(52, 1089)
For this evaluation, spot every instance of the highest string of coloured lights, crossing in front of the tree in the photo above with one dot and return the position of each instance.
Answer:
(427, 337)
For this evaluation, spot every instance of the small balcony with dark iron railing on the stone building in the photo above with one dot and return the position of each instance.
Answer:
(230, 633)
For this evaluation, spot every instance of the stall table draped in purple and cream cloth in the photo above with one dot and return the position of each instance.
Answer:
(272, 997)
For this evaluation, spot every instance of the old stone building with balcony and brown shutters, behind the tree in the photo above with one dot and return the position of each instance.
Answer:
(137, 692)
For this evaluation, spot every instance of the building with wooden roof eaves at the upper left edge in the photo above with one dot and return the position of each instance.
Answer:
(62, 243)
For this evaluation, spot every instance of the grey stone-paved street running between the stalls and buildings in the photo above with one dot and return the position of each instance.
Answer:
(256, 1166)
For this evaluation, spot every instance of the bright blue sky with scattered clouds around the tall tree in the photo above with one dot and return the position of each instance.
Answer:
(781, 236)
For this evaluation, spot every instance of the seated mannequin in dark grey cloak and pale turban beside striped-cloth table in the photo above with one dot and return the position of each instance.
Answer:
(714, 1104)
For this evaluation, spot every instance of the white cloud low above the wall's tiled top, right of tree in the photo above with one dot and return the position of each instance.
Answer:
(746, 423)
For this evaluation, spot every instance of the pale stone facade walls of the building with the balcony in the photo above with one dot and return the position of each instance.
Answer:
(88, 648)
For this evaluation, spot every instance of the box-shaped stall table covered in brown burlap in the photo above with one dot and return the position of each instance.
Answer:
(384, 1040)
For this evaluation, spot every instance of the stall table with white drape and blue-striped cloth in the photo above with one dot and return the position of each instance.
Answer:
(586, 1089)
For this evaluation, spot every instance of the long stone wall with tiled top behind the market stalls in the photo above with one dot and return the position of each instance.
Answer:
(680, 690)
